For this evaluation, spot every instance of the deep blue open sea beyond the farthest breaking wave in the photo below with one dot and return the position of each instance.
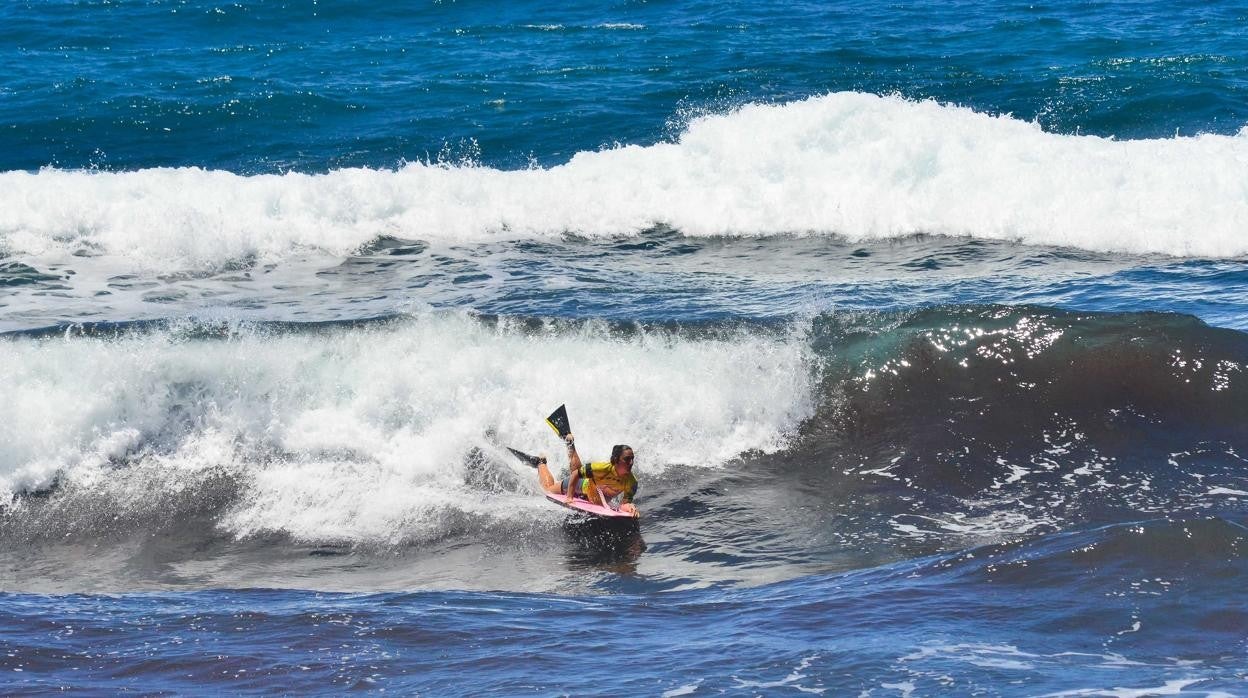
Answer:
(273, 87)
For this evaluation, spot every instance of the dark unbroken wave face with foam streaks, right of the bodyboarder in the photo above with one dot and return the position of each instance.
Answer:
(962, 426)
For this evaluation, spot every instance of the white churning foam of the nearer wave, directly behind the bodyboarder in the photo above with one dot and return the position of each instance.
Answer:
(364, 435)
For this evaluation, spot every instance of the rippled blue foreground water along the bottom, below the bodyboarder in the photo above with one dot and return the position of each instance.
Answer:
(965, 624)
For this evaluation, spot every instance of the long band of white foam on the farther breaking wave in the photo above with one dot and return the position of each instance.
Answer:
(851, 164)
